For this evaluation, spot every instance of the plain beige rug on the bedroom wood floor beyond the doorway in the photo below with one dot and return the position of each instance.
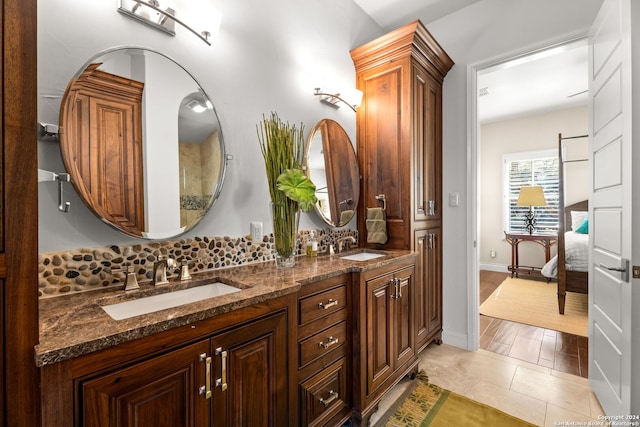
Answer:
(535, 303)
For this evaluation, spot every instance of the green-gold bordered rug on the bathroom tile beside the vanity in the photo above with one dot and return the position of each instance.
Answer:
(424, 404)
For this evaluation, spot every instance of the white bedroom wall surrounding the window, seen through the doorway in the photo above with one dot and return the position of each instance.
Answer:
(531, 133)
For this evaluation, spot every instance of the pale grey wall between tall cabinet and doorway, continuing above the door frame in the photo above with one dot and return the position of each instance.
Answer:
(486, 30)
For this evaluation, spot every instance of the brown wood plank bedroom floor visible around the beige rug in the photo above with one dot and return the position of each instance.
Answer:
(544, 347)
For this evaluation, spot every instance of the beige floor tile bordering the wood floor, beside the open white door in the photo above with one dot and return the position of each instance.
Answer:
(552, 389)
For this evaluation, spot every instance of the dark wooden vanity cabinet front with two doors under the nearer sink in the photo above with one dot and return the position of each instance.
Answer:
(237, 375)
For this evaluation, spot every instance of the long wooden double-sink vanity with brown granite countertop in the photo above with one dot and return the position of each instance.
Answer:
(316, 344)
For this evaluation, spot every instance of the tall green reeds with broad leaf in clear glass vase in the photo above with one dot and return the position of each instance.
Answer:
(291, 191)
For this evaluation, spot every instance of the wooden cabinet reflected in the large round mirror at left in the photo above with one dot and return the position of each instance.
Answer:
(105, 139)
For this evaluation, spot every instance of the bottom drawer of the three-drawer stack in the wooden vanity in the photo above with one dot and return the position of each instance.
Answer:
(325, 395)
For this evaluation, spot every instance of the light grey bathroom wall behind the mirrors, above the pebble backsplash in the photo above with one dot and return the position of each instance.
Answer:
(268, 56)
